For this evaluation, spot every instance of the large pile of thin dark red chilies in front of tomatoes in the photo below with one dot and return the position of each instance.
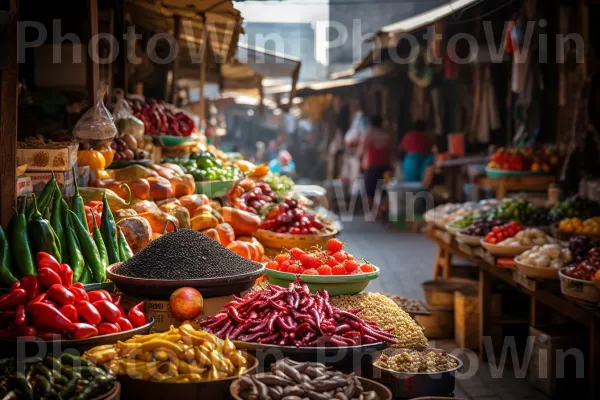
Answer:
(293, 317)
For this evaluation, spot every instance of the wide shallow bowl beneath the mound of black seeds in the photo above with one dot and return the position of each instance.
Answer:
(209, 287)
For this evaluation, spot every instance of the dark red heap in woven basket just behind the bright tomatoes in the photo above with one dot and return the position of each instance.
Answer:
(289, 217)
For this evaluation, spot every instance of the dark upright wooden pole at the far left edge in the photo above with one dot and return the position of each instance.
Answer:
(9, 81)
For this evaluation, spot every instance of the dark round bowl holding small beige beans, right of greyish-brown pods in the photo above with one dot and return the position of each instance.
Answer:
(418, 384)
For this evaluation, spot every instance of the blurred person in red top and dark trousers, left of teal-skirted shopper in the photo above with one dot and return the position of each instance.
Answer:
(376, 154)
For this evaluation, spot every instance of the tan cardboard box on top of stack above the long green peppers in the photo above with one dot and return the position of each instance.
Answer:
(48, 159)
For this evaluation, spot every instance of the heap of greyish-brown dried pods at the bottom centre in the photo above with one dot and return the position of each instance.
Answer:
(291, 380)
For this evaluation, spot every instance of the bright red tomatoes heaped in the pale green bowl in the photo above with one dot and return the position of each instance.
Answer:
(333, 261)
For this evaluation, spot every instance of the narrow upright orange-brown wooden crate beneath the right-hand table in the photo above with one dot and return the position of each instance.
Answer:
(466, 319)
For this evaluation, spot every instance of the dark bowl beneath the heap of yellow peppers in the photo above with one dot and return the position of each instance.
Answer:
(142, 389)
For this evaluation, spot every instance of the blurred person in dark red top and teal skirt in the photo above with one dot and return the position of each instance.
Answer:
(416, 152)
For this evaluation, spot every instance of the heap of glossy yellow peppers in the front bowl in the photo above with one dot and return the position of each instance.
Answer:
(180, 355)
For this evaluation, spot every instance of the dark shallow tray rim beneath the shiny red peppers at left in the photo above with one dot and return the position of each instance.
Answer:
(32, 347)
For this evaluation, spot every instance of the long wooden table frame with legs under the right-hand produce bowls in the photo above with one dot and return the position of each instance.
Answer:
(539, 297)
